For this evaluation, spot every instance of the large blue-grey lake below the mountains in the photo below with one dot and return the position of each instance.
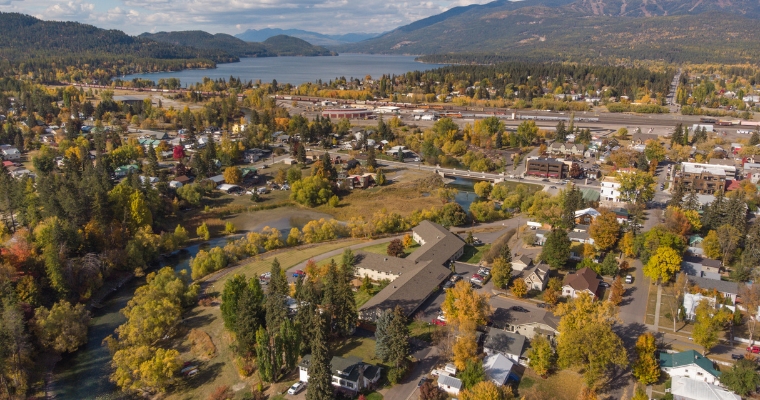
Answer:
(298, 70)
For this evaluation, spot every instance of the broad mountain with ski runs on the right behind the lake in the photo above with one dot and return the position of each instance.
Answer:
(610, 31)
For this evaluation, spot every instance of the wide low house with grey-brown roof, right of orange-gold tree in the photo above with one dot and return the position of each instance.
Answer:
(530, 324)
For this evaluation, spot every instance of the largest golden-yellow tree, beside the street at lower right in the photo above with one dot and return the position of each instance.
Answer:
(587, 339)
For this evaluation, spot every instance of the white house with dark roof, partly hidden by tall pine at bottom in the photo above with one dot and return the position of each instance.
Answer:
(350, 374)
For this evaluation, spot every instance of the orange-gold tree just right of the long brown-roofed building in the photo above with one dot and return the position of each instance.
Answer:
(465, 309)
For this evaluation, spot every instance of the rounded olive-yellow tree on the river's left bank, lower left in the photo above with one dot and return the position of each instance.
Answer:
(63, 328)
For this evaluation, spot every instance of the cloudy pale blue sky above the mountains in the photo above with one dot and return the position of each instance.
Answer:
(236, 16)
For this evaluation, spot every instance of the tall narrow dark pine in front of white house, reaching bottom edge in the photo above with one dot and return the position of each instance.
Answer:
(320, 378)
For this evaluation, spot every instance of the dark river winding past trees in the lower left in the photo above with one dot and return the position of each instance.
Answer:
(84, 374)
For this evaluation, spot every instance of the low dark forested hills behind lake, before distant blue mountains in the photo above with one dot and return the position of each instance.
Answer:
(279, 45)
